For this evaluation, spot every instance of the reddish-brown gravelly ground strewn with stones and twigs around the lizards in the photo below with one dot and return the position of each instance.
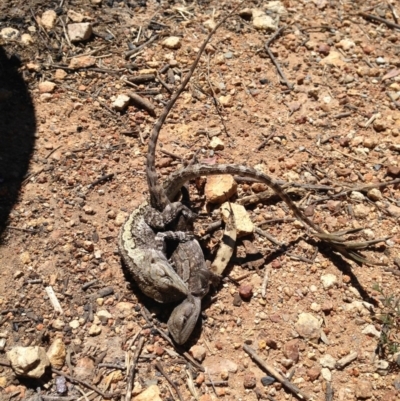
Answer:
(80, 84)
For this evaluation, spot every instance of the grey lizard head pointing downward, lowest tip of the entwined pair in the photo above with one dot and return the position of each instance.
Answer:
(183, 319)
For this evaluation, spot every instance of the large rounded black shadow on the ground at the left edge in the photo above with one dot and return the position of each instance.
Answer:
(17, 129)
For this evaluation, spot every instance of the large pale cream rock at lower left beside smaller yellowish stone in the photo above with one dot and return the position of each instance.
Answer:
(28, 361)
